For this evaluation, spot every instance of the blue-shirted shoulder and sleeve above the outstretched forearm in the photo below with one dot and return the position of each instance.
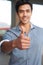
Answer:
(11, 33)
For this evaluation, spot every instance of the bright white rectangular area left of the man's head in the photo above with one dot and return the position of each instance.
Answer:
(5, 14)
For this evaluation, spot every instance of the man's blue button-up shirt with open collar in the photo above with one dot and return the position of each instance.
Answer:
(30, 56)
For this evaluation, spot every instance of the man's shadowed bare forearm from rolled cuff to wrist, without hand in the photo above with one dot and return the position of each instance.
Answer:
(8, 46)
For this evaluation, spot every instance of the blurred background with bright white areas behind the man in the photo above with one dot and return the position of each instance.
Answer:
(9, 18)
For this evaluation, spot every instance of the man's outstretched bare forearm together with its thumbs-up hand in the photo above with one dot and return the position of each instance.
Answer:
(21, 42)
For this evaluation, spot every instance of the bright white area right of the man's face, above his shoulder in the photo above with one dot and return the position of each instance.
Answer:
(37, 15)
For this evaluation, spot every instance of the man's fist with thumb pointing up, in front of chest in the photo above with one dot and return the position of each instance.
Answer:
(22, 42)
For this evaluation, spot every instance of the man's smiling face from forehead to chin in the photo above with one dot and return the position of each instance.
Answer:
(24, 13)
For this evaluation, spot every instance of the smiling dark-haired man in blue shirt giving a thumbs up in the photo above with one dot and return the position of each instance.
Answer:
(24, 41)
